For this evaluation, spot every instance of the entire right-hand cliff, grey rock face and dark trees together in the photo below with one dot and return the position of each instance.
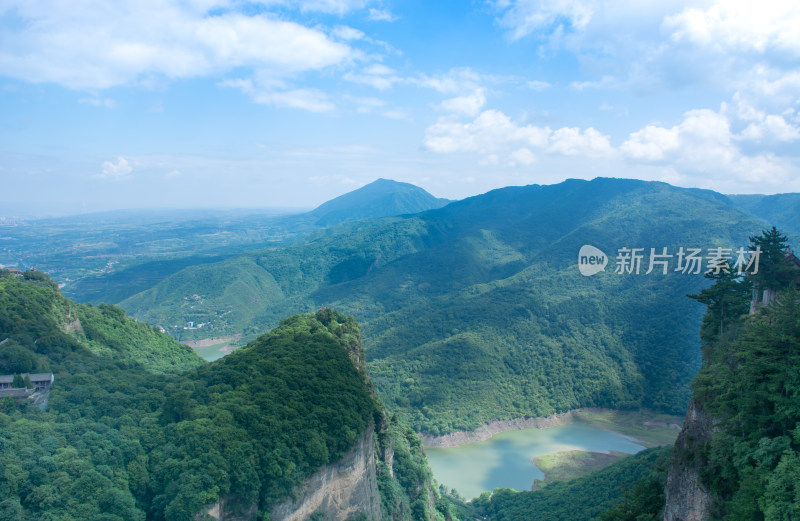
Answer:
(738, 455)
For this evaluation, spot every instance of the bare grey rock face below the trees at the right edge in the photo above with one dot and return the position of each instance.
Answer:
(687, 499)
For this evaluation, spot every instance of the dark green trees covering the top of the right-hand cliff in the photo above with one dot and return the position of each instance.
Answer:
(750, 384)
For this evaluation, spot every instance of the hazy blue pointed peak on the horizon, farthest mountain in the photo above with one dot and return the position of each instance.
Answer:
(380, 198)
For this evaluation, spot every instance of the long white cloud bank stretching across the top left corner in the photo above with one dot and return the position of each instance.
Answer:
(97, 46)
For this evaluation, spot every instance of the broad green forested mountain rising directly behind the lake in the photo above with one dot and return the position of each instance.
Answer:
(477, 311)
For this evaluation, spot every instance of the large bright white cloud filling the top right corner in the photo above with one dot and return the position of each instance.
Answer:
(650, 46)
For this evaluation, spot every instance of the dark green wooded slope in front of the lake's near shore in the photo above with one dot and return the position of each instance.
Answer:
(581, 499)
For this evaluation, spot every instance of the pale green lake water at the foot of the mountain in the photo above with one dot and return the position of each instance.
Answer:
(504, 460)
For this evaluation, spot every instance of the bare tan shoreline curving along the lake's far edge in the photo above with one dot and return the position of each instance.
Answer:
(488, 430)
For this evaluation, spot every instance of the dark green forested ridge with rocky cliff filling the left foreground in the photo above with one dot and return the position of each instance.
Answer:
(138, 427)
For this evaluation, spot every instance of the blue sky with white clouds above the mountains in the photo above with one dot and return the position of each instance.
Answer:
(225, 103)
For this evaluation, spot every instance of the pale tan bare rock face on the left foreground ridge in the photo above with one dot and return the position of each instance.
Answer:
(345, 490)
